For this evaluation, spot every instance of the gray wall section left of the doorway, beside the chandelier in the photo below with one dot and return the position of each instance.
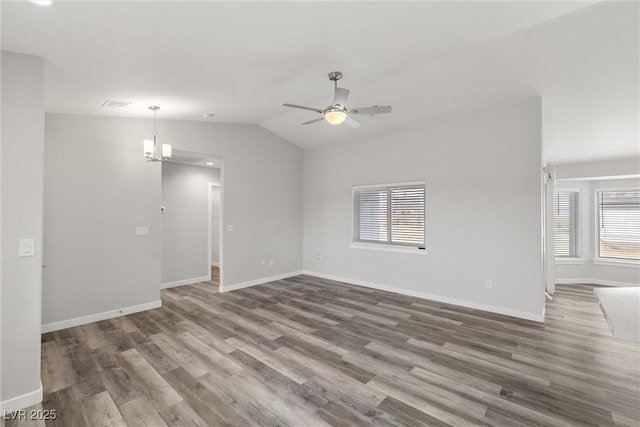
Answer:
(98, 189)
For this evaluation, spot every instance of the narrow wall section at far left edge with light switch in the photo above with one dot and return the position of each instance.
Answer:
(21, 178)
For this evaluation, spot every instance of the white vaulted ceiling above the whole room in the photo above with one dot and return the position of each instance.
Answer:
(429, 60)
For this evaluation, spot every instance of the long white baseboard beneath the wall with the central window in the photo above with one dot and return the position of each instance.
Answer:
(463, 303)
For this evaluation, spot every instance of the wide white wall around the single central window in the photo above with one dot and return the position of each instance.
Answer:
(483, 209)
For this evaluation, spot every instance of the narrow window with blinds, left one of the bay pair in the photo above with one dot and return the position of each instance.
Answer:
(565, 224)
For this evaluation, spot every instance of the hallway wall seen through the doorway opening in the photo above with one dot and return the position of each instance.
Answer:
(185, 223)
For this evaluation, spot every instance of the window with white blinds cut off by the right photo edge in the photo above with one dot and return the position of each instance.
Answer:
(619, 224)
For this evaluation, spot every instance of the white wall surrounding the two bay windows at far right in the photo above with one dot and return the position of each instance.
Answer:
(584, 270)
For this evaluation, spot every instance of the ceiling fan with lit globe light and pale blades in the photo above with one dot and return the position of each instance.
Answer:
(337, 113)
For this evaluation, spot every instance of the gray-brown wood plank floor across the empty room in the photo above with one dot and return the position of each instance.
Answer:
(307, 351)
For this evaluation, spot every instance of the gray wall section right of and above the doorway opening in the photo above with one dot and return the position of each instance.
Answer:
(262, 195)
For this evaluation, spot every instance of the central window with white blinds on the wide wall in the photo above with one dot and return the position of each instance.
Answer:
(389, 214)
